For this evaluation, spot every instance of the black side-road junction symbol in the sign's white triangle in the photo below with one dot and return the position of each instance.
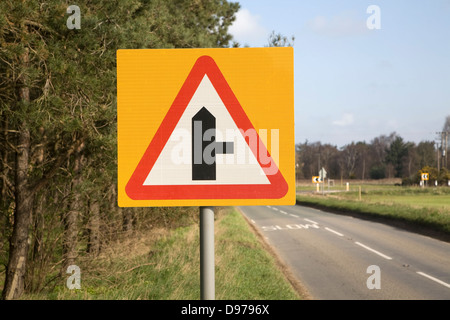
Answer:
(204, 146)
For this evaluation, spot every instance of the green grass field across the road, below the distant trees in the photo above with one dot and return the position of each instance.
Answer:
(423, 207)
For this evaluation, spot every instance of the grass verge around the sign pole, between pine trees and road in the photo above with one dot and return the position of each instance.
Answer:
(166, 267)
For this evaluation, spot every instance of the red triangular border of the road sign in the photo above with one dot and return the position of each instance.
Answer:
(135, 188)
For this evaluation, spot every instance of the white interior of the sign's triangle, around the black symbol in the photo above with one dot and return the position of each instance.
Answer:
(174, 164)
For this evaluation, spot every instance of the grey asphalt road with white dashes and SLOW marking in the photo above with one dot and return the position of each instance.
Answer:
(341, 257)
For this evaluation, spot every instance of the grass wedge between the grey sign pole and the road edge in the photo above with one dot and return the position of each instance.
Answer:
(242, 259)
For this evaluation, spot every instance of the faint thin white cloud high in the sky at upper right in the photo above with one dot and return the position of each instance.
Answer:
(343, 24)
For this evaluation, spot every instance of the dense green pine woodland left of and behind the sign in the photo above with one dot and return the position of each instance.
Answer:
(58, 124)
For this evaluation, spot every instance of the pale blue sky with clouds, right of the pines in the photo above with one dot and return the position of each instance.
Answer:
(353, 83)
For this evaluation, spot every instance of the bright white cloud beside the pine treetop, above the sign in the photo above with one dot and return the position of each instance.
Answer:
(247, 29)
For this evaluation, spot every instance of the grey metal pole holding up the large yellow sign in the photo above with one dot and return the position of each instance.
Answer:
(207, 274)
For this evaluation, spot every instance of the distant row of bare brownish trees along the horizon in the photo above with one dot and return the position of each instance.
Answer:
(386, 156)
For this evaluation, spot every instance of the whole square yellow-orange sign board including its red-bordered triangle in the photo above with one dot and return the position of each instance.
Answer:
(205, 127)
